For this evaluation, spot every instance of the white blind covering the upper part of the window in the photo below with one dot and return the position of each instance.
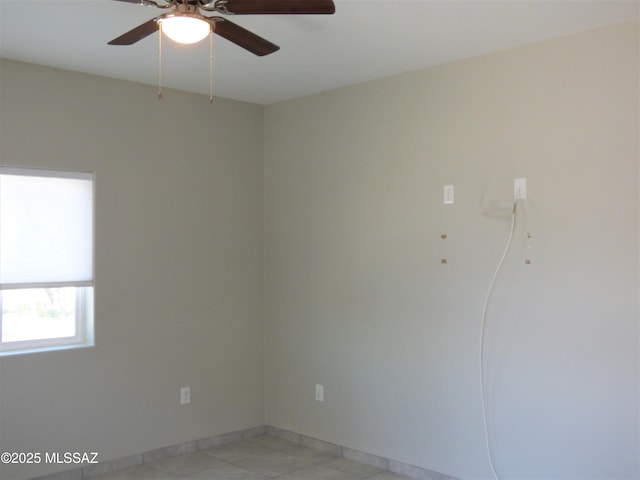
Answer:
(46, 228)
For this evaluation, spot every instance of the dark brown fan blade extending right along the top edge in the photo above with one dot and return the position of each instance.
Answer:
(247, 7)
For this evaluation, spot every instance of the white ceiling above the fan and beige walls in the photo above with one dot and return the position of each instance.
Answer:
(364, 40)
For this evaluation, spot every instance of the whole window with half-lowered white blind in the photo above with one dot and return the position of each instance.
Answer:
(46, 260)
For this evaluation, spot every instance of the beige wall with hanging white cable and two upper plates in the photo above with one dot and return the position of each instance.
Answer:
(356, 296)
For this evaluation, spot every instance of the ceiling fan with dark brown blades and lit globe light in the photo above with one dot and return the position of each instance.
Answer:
(189, 16)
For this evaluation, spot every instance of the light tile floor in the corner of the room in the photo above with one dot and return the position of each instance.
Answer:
(259, 458)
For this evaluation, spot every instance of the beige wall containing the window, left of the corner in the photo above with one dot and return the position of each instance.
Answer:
(179, 252)
